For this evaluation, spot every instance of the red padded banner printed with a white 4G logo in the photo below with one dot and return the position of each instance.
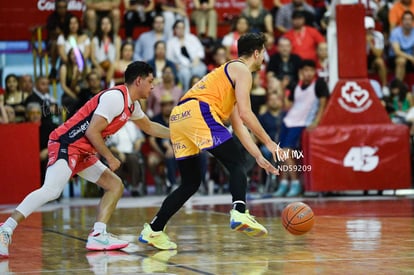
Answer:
(357, 157)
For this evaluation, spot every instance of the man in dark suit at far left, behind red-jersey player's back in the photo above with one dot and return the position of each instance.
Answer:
(41, 95)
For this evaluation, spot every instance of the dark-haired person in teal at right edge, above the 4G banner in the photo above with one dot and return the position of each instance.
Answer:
(400, 101)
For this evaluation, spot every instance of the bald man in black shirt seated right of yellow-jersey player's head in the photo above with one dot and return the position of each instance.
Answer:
(284, 65)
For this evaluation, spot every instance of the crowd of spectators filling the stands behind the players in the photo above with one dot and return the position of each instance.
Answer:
(91, 52)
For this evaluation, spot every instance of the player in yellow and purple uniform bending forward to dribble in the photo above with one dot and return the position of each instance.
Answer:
(197, 123)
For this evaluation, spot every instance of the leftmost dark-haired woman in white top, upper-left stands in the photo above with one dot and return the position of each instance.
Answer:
(72, 37)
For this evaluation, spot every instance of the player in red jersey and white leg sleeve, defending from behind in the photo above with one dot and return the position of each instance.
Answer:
(73, 147)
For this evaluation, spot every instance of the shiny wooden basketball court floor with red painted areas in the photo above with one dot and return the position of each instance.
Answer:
(352, 235)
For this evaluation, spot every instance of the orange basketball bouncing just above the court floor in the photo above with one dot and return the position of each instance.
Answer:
(297, 218)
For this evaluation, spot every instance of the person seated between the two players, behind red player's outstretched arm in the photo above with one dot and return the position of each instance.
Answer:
(162, 147)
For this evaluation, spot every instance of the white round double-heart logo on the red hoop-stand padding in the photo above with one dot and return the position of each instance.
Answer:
(354, 98)
